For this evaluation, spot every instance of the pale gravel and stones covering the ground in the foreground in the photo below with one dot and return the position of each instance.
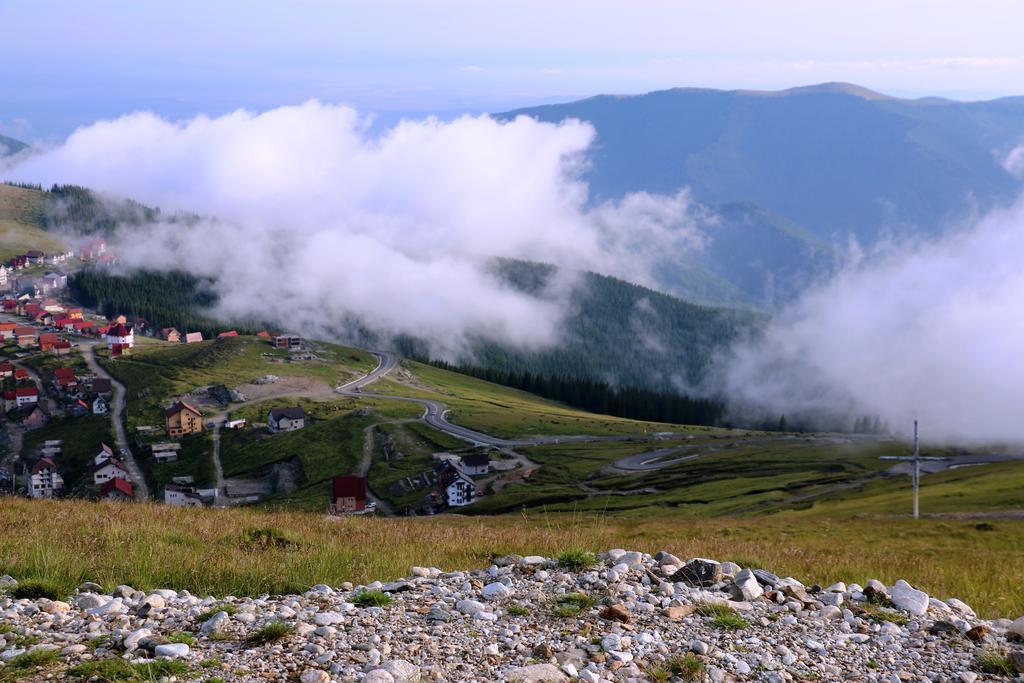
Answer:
(627, 617)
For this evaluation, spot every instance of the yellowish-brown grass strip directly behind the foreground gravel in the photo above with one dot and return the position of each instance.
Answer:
(151, 546)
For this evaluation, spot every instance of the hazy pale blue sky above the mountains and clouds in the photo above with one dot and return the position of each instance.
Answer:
(66, 64)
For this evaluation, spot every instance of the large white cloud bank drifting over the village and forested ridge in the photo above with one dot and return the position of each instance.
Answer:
(320, 220)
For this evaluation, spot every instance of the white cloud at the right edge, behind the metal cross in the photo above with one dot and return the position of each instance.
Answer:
(919, 331)
